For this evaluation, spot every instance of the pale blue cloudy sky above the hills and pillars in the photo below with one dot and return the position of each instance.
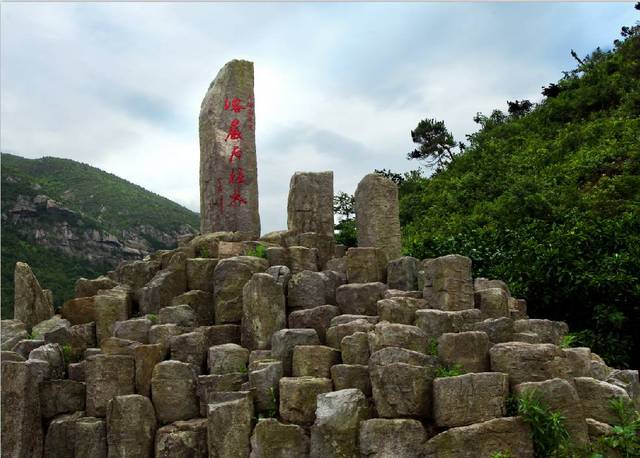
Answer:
(338, 86)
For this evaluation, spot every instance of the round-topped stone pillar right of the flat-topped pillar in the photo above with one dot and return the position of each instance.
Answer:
(378, 215)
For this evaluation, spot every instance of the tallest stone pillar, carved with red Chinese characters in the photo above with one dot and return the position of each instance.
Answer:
(228, 168)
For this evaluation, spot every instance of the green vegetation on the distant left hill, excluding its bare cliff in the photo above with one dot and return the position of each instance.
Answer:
(101, 201)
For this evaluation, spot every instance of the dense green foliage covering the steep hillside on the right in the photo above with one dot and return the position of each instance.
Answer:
(547, 198)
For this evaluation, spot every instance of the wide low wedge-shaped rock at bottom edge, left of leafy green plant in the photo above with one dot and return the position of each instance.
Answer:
(509, 435)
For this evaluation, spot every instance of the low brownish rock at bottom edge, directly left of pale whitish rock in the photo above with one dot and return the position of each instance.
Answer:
(272, 439)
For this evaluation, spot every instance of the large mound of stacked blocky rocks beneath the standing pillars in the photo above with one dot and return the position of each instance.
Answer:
(275, 356)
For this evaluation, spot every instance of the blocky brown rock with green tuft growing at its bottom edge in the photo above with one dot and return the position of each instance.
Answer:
(470, 350)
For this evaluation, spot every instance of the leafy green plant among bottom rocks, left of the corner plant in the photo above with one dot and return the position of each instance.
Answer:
(548, 431)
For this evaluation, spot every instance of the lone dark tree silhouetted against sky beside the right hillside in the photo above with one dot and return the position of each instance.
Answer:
(437, 146)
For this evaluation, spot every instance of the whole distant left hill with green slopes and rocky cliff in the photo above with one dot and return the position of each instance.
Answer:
(68, 219)
